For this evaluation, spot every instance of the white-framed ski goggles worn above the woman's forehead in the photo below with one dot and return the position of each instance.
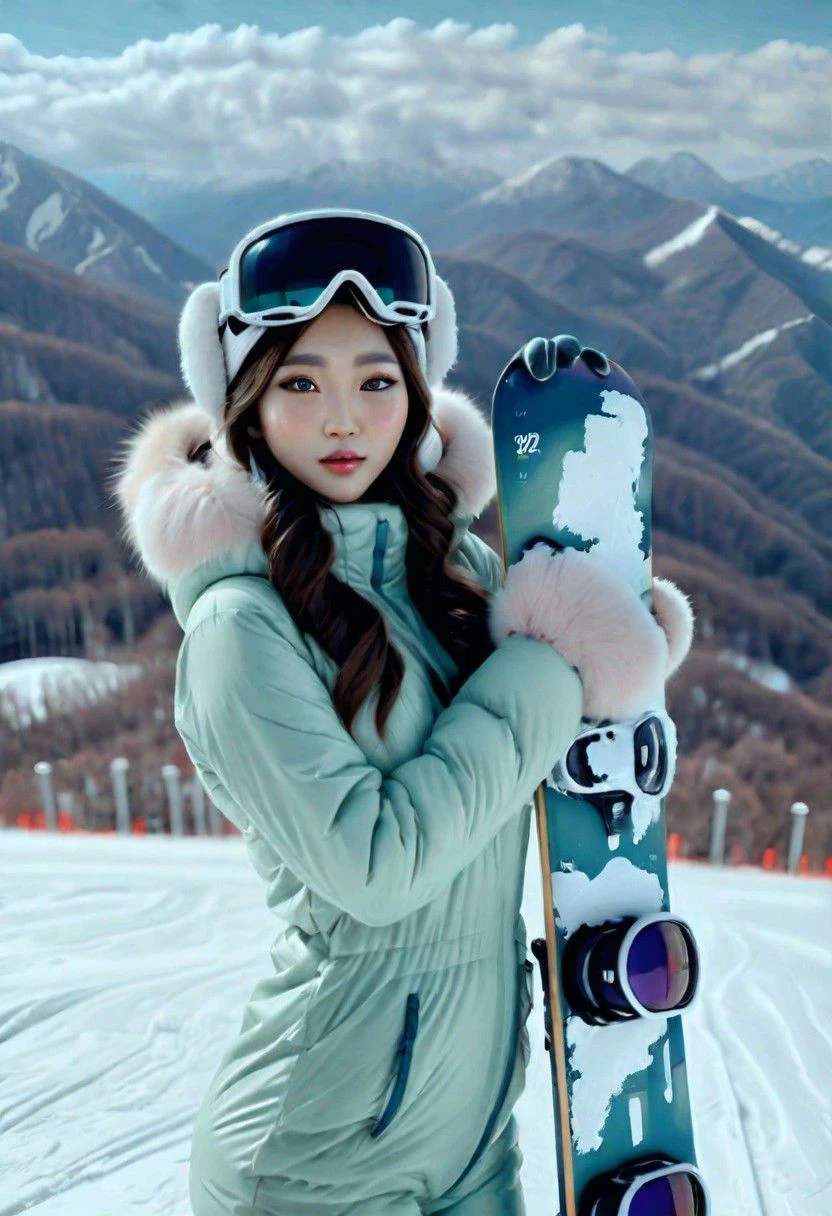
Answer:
(289, 269)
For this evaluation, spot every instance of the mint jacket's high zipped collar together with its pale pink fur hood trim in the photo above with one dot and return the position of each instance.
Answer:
(194, 521)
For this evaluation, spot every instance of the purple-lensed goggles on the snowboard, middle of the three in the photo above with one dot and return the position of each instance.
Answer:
(631, 967)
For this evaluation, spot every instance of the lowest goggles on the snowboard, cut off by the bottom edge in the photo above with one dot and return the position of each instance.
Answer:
(650, 1187)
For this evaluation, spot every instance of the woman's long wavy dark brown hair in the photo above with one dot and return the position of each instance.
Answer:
(300, 550)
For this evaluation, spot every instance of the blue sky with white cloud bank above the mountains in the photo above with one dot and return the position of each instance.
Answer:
(187, 93)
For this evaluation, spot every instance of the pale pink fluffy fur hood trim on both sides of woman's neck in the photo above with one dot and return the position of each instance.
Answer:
(185, 499)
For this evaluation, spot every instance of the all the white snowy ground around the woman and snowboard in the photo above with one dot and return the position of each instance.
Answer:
(125, 965)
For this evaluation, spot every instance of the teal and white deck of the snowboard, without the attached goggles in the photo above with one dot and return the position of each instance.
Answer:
(574, 446)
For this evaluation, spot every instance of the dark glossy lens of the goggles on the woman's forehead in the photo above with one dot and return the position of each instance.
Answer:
(294, 266)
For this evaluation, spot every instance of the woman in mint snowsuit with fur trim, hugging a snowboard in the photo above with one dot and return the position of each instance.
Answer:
(369, 703)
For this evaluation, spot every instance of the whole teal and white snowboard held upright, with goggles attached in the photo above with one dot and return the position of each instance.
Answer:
(574, 447)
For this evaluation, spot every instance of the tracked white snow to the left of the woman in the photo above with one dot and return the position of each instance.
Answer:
(116, 1001)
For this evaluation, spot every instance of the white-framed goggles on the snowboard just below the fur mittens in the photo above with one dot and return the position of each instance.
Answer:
(612, 764)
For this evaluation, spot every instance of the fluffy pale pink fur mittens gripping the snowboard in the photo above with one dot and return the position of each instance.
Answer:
(599, 624)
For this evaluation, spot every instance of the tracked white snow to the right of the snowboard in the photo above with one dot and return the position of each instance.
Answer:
(760, 1044)
